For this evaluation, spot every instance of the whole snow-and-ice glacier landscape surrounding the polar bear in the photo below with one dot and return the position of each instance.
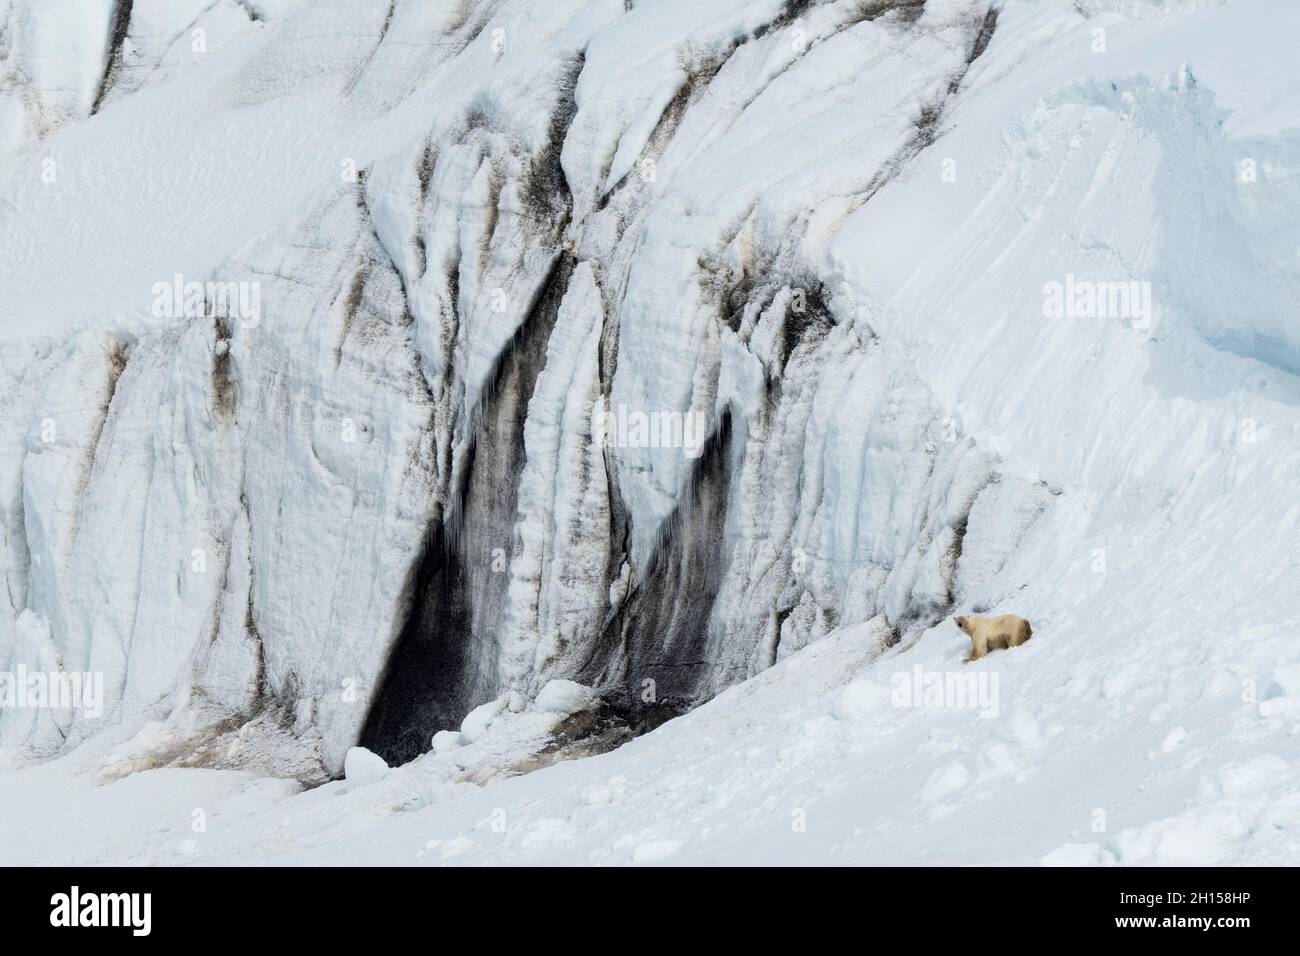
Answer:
(983, 308)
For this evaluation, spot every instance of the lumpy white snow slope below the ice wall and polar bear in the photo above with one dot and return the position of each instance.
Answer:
(829, 758)
